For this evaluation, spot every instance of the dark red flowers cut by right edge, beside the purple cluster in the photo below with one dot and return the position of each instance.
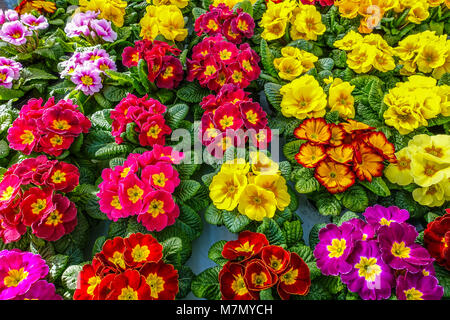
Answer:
(436, 239)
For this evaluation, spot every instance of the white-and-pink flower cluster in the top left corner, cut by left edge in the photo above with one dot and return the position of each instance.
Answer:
(16, 30)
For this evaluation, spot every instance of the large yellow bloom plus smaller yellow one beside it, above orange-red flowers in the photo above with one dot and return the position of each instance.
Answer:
(304, 98)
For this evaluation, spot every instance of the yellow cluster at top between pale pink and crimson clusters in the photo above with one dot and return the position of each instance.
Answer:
(165, 20)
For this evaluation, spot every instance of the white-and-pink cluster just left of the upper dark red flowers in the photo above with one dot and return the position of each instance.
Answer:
(87, 69)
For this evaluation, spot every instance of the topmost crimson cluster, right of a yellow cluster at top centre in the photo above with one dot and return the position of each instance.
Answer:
(221, 20)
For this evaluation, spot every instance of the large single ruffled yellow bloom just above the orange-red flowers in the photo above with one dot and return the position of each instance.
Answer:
(303, 98)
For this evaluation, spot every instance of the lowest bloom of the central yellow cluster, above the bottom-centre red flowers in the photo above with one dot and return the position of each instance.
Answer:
(257, 203)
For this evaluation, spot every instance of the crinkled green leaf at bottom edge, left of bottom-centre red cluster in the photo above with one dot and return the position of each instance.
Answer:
(206, 284)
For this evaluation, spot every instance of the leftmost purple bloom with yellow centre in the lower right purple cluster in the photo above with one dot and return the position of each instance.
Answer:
(336, 243)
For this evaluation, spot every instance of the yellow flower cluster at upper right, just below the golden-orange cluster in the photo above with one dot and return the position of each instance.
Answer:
(365, 53)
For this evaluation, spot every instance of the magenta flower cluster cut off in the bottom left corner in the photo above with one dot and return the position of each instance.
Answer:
(22, 277)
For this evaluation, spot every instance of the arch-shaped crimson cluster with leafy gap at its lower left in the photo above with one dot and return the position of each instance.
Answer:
(147, 114)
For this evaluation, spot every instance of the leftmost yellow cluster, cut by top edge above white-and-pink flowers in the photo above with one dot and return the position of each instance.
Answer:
(112, 10)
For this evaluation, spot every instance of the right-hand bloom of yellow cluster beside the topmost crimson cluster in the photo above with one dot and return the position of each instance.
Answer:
(171, 23)
